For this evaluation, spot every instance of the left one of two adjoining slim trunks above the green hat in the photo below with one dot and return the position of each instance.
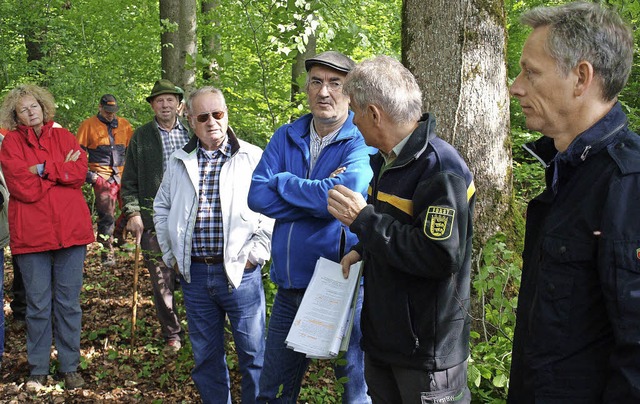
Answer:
(170, 40)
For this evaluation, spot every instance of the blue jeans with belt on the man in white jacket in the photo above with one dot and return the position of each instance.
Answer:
(208, 298)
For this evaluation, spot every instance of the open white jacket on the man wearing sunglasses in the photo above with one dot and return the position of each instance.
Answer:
(247, 234)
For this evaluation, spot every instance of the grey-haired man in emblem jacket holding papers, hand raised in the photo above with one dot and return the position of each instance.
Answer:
(414, 241)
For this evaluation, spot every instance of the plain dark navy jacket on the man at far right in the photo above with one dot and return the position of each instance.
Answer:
(577, 336)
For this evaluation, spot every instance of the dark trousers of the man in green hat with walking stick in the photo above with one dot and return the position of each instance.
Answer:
(163, 282)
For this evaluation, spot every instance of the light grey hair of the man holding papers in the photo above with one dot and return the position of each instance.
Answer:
(386, 83)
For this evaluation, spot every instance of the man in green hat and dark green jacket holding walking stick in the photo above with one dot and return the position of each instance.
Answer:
(146, 159)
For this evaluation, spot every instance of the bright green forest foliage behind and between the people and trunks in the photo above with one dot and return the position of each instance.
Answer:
(81, 49)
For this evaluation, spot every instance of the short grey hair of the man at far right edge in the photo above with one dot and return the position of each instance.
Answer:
(587, 32)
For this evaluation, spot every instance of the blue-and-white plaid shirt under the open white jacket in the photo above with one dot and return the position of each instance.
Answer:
(207, 234)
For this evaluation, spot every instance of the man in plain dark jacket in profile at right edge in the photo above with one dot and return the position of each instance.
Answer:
(578, 321)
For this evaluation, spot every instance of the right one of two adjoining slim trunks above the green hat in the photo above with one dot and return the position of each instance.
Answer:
(188, 45)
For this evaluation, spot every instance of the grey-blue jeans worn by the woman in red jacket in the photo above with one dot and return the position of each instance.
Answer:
(53, 278)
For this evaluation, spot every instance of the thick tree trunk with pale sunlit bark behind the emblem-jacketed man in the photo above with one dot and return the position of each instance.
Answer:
(457, 51)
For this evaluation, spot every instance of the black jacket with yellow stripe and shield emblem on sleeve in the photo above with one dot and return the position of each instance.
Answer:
(415, 241)
